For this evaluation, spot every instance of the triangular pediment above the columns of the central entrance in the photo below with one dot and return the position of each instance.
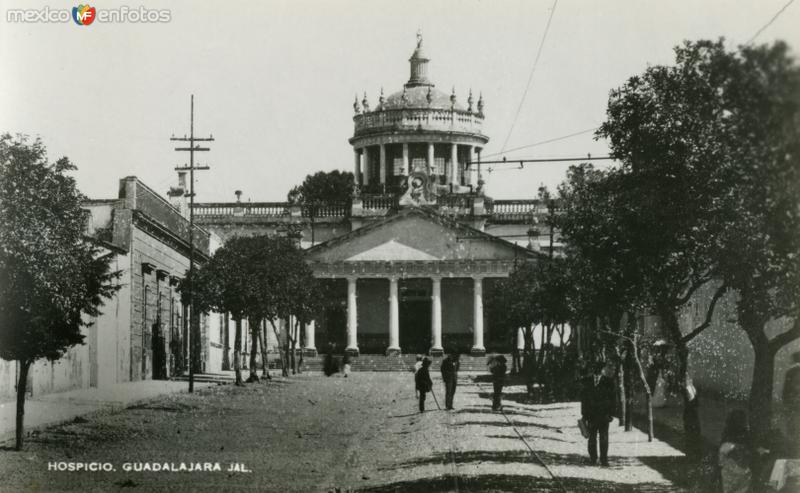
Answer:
(415, 234)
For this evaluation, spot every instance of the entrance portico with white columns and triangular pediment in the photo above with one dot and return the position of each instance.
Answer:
(415, 282)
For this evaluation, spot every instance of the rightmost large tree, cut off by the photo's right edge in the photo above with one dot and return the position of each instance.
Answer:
(759, 251)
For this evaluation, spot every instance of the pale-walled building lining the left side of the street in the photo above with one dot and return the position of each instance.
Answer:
(142, 332)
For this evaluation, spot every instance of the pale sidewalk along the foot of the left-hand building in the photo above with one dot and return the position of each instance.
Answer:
(51, 409)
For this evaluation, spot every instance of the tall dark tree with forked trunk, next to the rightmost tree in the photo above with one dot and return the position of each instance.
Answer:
(664, 129)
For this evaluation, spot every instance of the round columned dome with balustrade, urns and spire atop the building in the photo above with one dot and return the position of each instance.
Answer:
(419, 140)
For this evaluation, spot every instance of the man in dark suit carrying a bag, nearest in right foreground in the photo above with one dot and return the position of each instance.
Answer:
(597, 407)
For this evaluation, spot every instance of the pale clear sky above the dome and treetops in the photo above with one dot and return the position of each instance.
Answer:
(274, 81)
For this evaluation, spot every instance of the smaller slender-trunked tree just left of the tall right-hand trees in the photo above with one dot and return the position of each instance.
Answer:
(604, 274)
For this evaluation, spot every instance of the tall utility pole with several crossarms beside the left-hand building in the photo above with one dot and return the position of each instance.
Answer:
(193, 318)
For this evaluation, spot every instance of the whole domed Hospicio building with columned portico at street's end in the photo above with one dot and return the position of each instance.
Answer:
(413, 258)
